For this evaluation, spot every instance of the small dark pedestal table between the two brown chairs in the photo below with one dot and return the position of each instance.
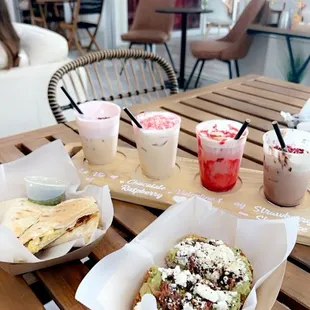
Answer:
(184, 12)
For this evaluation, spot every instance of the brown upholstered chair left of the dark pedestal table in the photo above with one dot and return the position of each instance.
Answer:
(149, 27)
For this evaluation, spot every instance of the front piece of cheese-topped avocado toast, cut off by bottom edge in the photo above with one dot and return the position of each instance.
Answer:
(177, 289)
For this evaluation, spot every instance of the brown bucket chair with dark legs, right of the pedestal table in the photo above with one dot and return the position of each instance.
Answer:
(234, 46)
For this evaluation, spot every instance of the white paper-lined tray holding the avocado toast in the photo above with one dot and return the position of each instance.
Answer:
(267, 245)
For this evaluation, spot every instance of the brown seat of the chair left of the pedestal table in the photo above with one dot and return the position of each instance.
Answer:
(146, 36)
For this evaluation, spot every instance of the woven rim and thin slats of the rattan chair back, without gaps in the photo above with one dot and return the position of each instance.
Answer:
(96, 57)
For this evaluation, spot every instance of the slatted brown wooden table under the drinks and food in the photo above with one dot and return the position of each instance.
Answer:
(259, 98)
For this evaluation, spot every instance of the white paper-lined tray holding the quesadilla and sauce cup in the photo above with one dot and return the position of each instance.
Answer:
(51, 160)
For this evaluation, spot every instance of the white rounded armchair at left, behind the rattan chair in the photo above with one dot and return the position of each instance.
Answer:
(24, 104)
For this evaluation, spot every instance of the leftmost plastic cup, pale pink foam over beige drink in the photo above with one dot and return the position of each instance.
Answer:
(98, 128)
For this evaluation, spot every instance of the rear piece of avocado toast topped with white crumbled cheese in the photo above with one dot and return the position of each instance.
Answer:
(213, 260)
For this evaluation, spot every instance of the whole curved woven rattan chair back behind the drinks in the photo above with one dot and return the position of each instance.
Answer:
(96, 76)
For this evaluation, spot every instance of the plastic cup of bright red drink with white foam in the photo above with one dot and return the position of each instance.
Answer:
(219, 158)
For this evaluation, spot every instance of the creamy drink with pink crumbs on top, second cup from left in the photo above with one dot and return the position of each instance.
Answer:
(157, 143)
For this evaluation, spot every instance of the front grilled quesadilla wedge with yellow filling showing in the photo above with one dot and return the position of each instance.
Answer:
(58, 221)
